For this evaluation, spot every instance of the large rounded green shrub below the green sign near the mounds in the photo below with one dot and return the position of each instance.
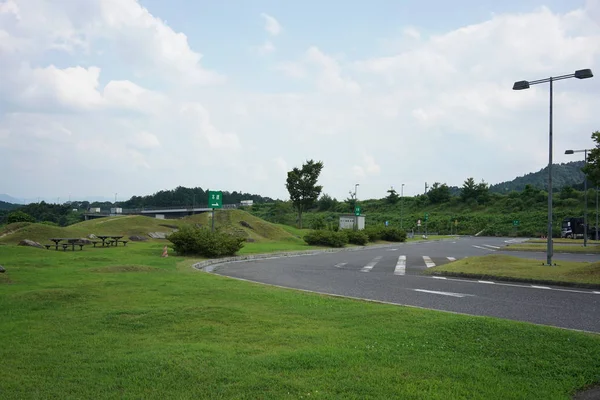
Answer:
(203, 242)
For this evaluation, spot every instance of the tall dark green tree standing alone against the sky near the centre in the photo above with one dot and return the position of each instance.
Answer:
(302, 186)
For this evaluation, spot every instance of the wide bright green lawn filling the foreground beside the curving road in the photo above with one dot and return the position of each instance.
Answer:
(122, 322)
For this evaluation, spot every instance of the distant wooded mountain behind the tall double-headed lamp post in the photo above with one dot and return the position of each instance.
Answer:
(566, 174)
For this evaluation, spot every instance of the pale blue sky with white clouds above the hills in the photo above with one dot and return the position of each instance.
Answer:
(132, 97)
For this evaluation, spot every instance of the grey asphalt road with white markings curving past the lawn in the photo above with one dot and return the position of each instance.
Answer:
(392, 274)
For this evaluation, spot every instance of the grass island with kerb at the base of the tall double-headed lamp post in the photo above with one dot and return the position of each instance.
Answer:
(503, 266)
